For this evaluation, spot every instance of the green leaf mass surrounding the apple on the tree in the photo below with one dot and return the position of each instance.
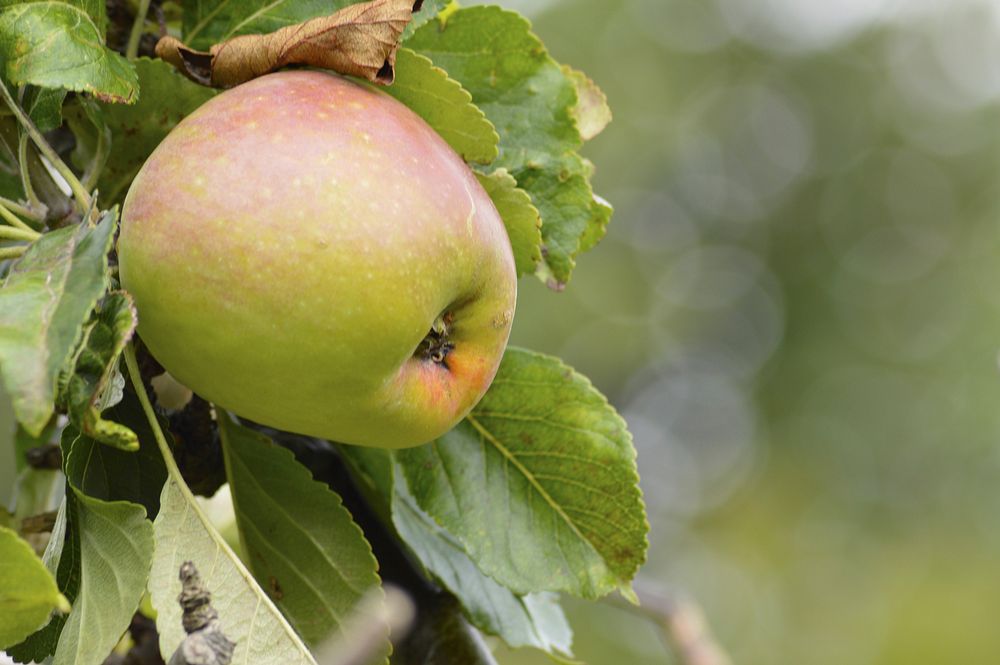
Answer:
(535, 493)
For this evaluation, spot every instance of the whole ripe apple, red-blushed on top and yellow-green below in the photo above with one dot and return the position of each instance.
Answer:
(290, 246)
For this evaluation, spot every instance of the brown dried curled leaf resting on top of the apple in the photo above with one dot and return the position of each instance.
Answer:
(359, 40)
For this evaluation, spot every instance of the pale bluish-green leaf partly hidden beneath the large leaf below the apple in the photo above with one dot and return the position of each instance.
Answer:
(535, 620)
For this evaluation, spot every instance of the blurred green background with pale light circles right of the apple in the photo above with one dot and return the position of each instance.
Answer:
(796, 309)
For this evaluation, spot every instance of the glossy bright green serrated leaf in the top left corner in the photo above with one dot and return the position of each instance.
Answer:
(59, 45)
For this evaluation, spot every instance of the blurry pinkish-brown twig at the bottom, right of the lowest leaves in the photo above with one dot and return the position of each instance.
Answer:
(682, 625)
